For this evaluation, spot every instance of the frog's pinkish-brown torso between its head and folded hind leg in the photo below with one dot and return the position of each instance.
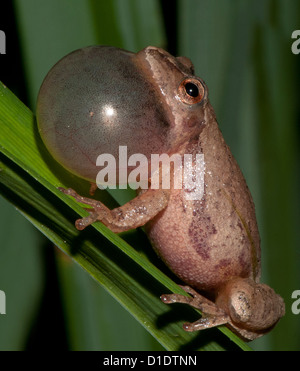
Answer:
(206, 242)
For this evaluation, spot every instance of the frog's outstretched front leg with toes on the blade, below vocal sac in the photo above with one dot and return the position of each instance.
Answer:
(133, 214)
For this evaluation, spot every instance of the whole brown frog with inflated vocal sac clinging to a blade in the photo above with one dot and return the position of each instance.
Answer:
(99, 98)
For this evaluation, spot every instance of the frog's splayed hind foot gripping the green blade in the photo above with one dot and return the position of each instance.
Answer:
(212, 315)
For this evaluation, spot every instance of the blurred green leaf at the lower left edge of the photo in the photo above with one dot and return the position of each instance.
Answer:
(21, 276)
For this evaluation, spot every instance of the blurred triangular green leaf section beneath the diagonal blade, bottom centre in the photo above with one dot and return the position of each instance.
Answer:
(98, 323)
